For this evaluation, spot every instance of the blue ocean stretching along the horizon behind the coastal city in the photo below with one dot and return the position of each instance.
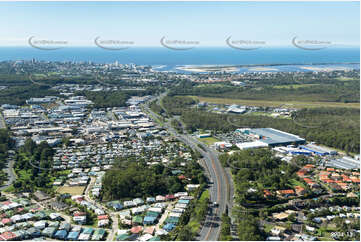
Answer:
(168, 59)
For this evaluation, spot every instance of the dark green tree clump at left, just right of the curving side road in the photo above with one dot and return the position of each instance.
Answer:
(32, 165)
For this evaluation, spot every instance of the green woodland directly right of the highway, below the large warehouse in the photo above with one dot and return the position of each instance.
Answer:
(254, 170)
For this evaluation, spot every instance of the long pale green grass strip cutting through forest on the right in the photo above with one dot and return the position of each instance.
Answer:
(265, 103)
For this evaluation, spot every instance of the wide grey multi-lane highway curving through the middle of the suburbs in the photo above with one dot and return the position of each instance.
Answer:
(220, 182)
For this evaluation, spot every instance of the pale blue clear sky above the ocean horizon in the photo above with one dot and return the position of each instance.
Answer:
(145, 23)
